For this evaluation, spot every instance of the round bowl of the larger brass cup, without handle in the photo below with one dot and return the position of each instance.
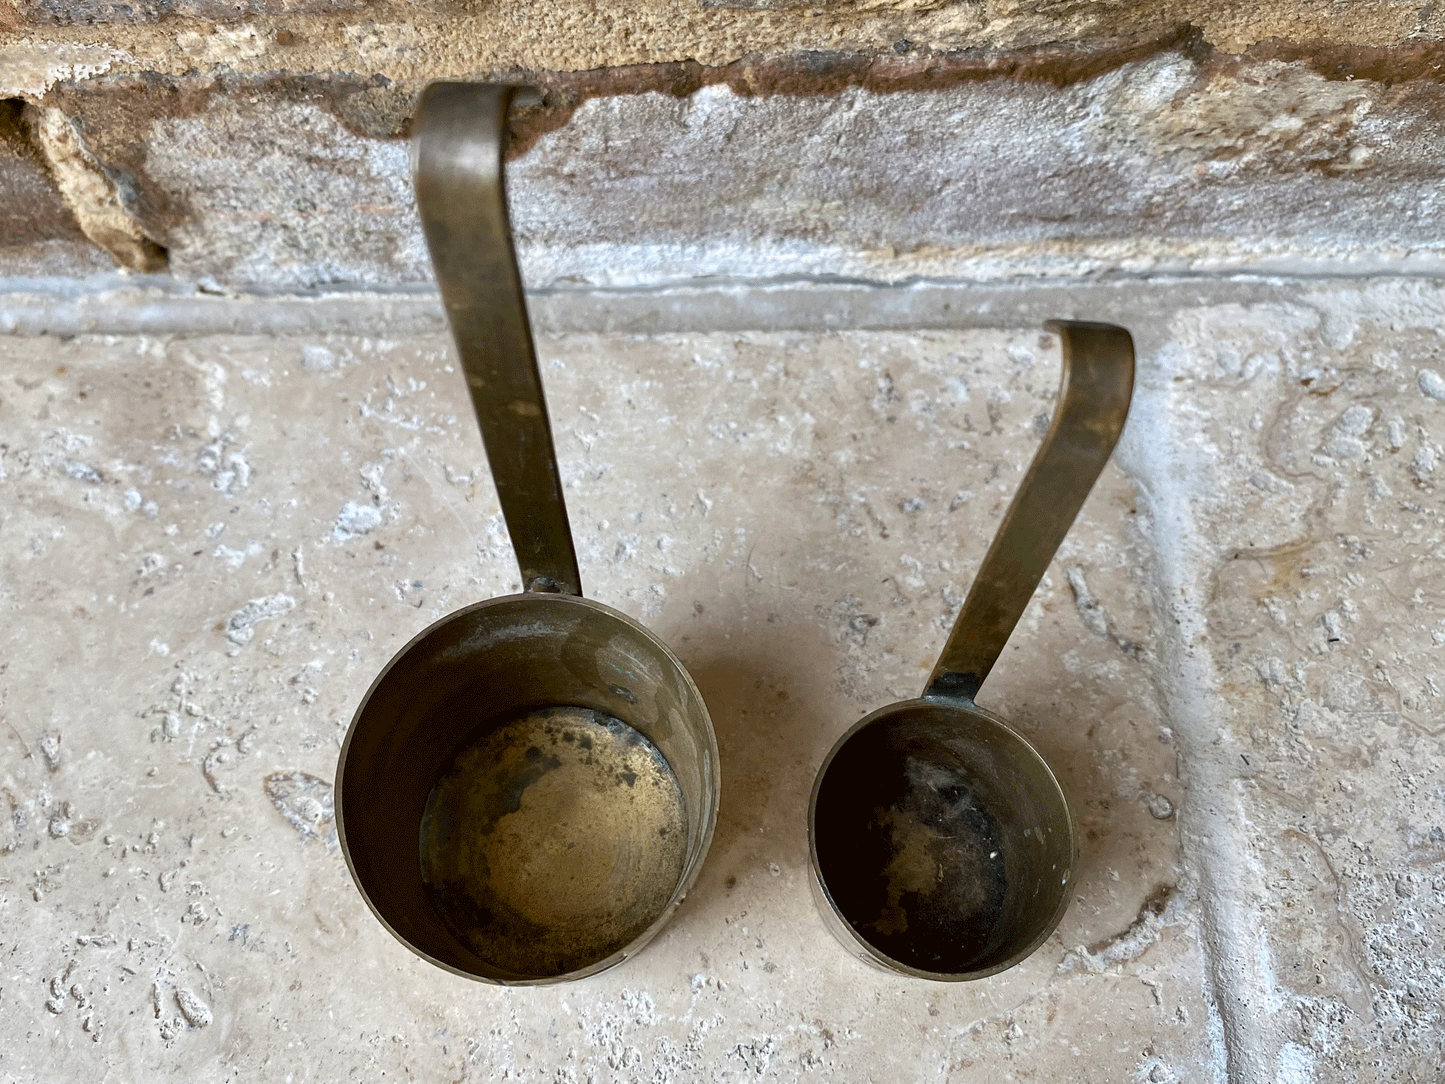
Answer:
(528, 790)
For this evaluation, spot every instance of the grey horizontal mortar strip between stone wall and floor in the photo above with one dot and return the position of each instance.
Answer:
(158, 307)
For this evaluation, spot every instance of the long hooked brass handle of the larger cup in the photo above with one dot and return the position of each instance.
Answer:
(459, 144)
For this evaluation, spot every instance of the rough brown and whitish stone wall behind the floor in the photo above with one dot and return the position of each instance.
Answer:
(261, 144)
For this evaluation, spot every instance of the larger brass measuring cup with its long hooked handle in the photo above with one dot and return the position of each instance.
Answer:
(530, 788)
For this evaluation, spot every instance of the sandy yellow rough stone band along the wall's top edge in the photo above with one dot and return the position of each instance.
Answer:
(427, 38)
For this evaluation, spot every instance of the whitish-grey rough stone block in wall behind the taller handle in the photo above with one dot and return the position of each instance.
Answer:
(1161, 165)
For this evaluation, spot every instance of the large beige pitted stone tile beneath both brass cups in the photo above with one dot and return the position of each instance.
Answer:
(215, 546)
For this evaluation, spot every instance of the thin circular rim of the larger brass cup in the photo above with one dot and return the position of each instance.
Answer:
(690, 874)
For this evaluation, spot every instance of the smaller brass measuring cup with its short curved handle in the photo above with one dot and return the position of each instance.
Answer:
(941, 843)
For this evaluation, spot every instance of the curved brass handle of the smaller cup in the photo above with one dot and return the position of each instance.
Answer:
(1099, 382)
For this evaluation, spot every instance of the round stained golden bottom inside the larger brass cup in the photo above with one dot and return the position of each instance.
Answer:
(554, 840)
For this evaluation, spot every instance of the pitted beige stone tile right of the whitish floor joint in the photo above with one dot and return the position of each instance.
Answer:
(1321, 534)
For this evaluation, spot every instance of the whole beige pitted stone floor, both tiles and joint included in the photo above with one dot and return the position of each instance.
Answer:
(212, 544)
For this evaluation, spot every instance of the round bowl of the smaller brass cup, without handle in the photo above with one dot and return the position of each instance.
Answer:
(941, 840)
